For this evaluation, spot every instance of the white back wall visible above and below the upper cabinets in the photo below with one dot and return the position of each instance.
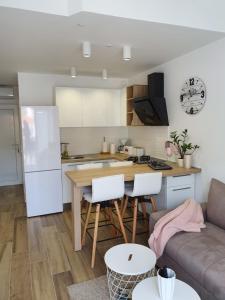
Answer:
(39, 89)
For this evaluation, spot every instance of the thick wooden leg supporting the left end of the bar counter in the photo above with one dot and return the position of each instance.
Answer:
(76, 217)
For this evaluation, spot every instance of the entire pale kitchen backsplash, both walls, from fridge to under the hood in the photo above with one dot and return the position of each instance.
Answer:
(89, 140)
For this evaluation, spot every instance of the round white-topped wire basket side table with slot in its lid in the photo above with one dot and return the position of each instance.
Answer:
(127, 265)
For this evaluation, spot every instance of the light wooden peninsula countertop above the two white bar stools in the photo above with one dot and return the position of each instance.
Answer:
(84, 177)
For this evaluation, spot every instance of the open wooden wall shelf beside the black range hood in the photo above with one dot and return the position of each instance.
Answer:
(133, 92)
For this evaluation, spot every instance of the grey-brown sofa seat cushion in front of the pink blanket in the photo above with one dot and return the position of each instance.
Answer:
(202, 256)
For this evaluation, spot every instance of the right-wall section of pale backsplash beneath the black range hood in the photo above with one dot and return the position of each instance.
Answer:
(152, 139)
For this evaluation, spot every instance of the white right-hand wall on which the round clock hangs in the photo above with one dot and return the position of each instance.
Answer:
(207, 128)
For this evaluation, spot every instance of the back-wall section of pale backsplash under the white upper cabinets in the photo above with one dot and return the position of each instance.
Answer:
(89, 140)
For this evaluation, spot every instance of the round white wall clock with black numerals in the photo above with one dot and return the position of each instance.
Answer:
(193, 95)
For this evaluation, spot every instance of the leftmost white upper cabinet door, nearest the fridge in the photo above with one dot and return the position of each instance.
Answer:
(70, 104)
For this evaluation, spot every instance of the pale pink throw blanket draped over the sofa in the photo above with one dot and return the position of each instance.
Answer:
(186, 217)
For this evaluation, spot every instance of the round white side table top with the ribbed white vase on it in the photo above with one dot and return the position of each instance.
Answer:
(148, 289)
